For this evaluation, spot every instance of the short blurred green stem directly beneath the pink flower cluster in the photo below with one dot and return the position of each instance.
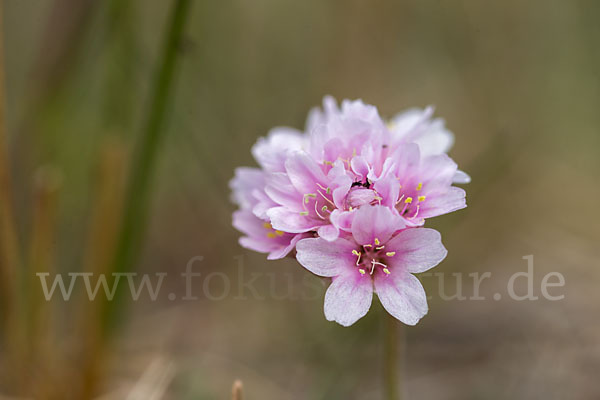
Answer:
(393, 358)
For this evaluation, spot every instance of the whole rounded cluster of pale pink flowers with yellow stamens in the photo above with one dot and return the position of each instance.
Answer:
(349, 198)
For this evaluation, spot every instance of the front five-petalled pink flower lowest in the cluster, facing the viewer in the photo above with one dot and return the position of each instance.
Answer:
(378, 256)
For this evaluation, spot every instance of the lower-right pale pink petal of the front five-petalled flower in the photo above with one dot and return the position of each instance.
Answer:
(402, 295)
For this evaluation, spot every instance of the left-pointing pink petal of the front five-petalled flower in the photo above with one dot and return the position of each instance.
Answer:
(325, 258)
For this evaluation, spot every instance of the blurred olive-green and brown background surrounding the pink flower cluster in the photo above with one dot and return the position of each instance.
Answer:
(517, 82)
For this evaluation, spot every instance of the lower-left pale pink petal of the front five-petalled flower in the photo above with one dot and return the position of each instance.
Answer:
(348, 298)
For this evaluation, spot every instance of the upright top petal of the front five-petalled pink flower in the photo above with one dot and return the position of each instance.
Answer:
(371, 222)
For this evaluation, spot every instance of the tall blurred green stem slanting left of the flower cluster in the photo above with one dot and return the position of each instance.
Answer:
(140, 179)
